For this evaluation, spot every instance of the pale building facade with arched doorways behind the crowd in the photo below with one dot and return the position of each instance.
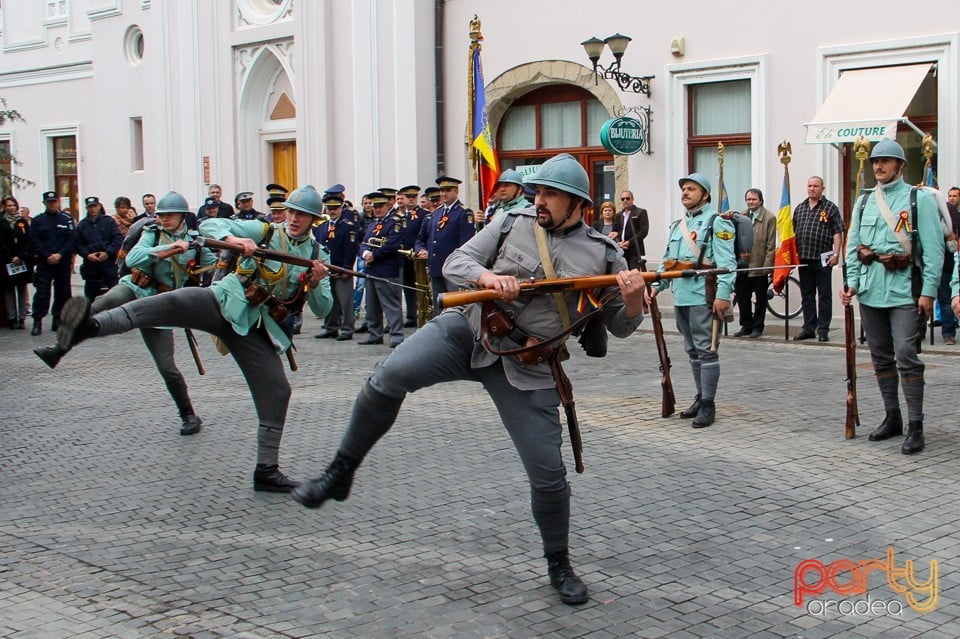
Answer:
(124, 97)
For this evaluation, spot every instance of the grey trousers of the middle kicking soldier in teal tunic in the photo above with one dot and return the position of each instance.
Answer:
(197, 308)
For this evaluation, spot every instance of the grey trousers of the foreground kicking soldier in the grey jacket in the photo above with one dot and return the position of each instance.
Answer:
(440, 351)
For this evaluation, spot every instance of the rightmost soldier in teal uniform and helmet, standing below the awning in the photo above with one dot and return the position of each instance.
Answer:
(880, 261)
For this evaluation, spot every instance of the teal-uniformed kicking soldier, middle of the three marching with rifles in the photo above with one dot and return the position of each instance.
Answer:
(245, 311)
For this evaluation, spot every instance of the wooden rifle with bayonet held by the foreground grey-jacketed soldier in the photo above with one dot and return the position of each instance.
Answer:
(560, 284)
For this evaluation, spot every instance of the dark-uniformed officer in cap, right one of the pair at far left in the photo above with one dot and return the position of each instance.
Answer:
(98, 242)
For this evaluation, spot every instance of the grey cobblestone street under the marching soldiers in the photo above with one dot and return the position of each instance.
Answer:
(114, 525)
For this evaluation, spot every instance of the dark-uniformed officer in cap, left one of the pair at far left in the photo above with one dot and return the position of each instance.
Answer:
(52, 241)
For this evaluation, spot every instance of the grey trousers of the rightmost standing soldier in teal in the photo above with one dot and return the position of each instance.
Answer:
(892, 339)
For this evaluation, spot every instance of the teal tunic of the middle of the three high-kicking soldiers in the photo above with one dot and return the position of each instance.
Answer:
(280, 279)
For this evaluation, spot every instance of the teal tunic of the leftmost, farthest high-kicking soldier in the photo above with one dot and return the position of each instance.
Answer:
(171, 271)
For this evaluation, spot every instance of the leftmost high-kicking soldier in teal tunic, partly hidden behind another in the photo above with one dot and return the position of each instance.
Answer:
(160, 261)
